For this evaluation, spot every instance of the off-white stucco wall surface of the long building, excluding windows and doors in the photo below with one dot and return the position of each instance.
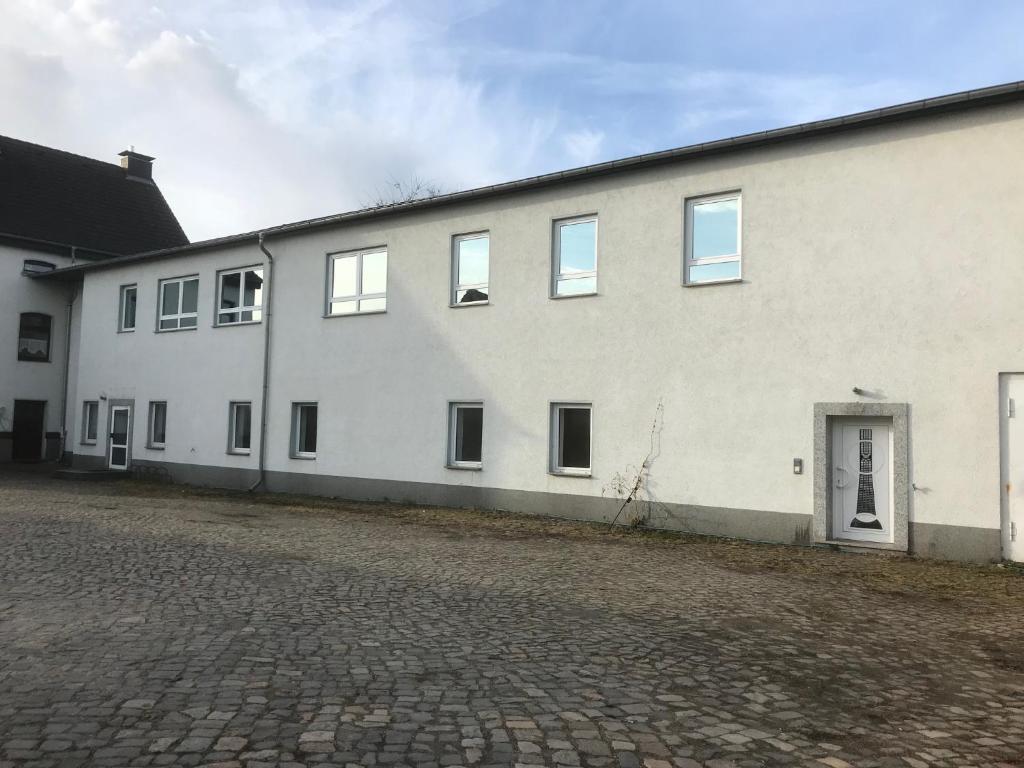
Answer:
(886, 260)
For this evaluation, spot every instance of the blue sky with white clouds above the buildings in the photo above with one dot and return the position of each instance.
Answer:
(264, 112)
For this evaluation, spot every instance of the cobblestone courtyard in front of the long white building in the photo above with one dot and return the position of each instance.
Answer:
(154, 626)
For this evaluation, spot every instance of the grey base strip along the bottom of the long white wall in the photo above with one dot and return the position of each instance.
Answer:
(945, 542)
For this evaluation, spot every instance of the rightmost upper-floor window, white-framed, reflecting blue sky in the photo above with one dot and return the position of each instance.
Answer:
(713, 239)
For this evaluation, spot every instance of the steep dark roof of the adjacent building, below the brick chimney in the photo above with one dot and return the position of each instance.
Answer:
(59, 198)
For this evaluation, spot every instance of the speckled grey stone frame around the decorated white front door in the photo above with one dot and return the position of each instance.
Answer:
(826, 414)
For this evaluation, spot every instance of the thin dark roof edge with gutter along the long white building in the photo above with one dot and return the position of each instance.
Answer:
(996, 95)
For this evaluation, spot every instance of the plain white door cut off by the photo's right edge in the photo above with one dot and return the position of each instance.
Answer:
(1012, 445)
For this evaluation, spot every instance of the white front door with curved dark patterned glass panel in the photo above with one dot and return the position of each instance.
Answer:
(863, 480)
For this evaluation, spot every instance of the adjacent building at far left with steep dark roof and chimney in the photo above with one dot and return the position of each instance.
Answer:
(59, 210)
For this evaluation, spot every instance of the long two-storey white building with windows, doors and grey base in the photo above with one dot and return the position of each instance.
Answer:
(808, 334)
